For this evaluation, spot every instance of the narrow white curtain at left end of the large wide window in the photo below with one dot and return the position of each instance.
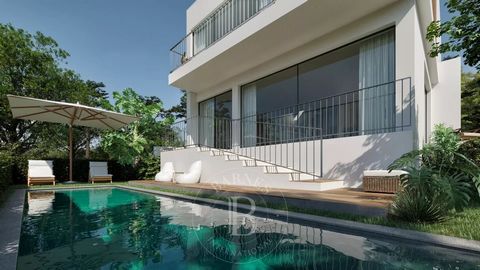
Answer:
(249, 115)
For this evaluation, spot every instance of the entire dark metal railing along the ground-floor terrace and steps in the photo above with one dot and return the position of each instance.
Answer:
(292, 137)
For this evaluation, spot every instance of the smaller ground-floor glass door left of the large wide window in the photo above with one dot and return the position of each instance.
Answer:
(216, 121)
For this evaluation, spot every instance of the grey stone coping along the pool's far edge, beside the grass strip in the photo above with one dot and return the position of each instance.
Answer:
(383, 231)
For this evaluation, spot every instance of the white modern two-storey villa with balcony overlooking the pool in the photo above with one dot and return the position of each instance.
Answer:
(308, 94)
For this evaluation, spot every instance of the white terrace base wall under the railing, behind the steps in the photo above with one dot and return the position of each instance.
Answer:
(343, 158)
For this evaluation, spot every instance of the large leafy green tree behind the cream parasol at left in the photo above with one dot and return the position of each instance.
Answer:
(30, 66)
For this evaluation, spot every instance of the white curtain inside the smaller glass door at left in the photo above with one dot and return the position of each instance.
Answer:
(207, 128)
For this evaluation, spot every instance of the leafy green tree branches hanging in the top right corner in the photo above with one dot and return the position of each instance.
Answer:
(462, 31)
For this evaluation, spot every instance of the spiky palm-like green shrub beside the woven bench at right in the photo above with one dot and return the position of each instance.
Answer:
(439, 170)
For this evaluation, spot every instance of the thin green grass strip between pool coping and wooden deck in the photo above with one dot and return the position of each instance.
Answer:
(464, 225)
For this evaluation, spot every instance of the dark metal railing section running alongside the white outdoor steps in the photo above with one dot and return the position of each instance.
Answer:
(291, 137)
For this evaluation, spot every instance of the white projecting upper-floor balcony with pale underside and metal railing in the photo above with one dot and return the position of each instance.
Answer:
(298, 29)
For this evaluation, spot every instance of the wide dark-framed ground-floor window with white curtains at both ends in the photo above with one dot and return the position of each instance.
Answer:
(344, 92)
